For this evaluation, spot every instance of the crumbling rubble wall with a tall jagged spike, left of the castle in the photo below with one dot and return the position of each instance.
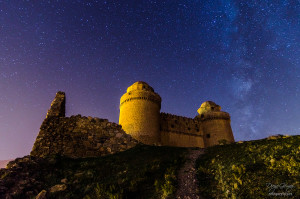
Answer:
(78, 136)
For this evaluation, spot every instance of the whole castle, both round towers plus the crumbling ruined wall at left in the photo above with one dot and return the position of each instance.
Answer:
(140, 121)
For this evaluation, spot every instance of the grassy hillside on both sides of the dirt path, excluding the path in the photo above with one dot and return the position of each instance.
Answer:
(239, 170)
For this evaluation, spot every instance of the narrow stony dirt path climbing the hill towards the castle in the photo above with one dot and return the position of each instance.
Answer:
(187, 180)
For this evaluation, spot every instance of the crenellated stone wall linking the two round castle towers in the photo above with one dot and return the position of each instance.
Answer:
(180, 131)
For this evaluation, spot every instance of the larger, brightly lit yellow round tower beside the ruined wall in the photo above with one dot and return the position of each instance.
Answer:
(140, 113)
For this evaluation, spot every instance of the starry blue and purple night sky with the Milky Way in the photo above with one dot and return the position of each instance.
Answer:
(245, 56)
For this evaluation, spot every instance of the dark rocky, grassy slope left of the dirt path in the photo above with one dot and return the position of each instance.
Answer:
(140, 172)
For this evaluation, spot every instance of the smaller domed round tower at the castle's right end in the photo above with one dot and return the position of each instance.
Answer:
(215, 123)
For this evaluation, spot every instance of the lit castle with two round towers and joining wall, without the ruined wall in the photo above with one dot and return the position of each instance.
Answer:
(141, 118)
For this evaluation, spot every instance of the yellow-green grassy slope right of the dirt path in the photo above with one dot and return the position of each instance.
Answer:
(254, 169)
